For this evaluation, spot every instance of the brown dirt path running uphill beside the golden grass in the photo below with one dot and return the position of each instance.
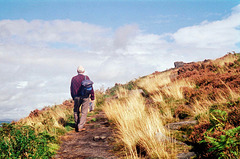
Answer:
(93, 143)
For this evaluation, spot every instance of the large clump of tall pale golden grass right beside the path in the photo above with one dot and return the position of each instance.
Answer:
(138, 126)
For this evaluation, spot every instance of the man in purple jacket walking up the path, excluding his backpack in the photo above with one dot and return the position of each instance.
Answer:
(79, 101)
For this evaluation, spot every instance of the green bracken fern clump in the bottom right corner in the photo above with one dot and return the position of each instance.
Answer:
(223, 138)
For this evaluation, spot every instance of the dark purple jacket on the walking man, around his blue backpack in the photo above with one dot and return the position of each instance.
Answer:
(76, 84)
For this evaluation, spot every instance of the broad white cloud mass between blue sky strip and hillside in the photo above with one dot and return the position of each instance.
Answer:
(39, 58)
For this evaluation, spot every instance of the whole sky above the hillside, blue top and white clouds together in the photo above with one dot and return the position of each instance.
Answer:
(42, 42)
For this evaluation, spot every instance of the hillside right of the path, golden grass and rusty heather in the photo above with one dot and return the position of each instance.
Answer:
(206, 92)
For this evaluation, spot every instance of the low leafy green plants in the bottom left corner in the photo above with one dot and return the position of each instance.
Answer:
(22, 142)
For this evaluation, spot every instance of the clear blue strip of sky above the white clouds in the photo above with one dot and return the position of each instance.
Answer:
(153, 16)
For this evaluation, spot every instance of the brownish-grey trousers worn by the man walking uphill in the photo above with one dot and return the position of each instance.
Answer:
(83, 103)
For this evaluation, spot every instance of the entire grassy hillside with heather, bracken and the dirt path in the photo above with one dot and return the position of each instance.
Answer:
(192, 108)
